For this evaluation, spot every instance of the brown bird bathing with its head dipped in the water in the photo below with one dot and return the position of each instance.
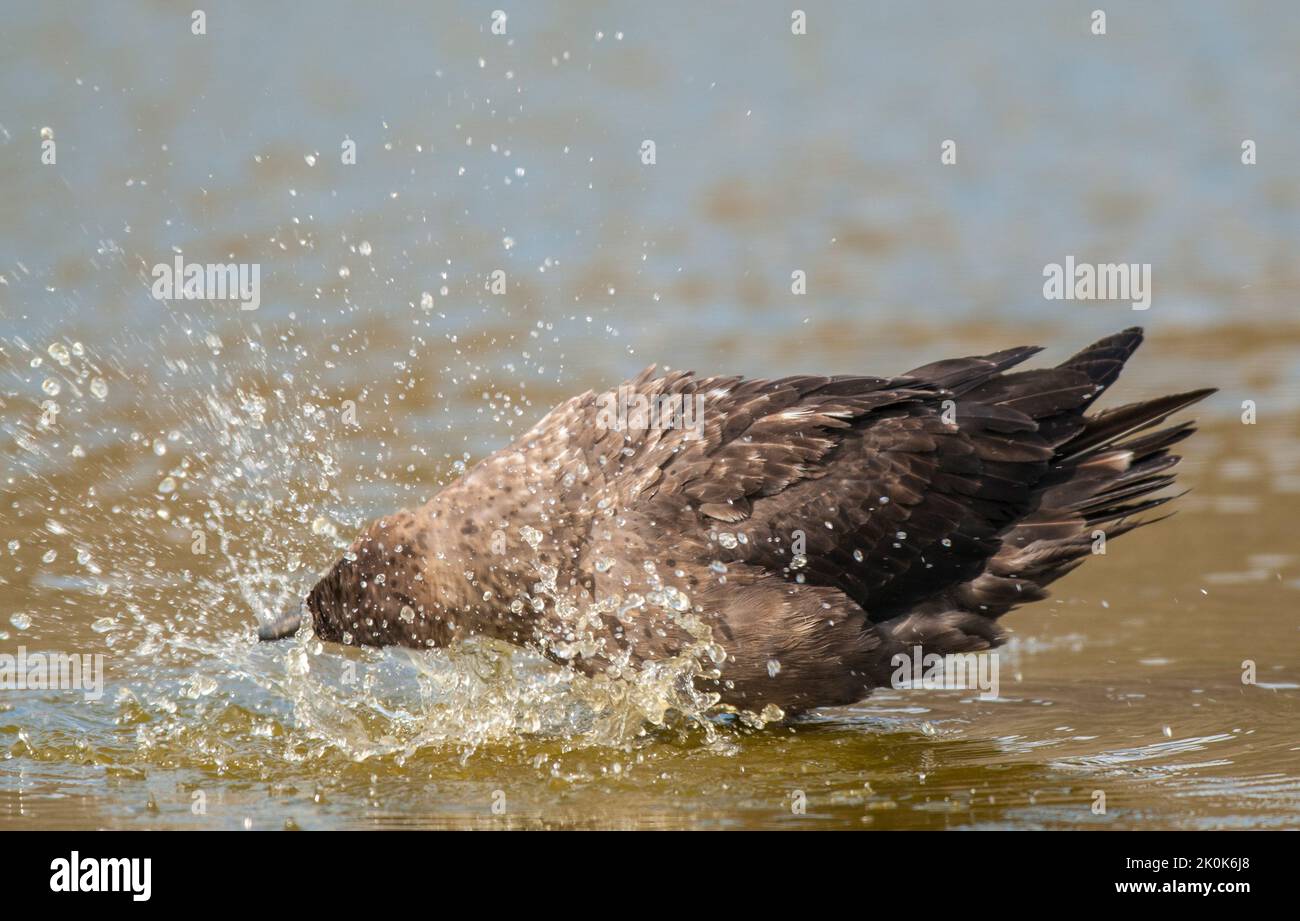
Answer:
(792, 535)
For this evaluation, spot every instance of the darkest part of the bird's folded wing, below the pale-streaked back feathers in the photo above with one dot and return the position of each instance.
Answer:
(905, 504)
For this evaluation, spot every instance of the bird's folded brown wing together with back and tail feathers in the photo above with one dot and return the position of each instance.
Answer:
(896, 500)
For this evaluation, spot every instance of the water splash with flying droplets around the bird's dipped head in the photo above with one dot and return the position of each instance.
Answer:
(218, 495)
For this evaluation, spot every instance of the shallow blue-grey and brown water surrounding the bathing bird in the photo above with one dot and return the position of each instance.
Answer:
(183, 418)
